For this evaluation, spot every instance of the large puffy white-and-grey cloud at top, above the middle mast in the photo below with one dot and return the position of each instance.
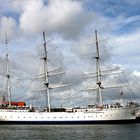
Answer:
(64, 17)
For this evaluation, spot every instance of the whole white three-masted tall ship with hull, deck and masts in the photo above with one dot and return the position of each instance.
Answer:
(19, 113)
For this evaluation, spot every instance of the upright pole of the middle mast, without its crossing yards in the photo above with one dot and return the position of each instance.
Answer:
(46, 81)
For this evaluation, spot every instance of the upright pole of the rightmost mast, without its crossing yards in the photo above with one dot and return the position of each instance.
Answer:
(98, 72)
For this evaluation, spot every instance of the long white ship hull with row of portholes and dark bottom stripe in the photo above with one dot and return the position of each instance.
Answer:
(80, 117)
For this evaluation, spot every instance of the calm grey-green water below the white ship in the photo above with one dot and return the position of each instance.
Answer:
(70, 132)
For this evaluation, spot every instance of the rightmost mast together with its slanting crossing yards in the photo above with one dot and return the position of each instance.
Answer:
(99, 73)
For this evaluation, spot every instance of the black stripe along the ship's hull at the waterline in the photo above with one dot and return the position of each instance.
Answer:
(71, 122)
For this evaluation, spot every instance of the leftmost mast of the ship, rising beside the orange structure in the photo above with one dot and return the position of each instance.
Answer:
(7, 72)
